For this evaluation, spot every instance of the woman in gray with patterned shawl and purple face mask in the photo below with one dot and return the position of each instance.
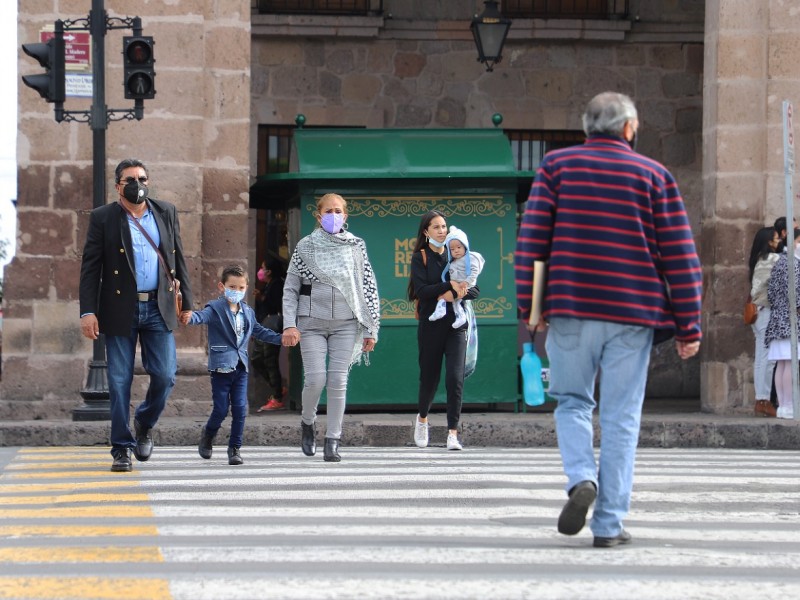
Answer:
(331, 307)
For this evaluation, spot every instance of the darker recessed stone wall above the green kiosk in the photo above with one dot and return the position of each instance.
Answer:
(409, 71)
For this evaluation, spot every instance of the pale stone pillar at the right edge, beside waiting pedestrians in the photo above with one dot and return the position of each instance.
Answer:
(751, 57)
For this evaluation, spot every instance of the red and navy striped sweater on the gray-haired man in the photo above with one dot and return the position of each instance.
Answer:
(614, 229)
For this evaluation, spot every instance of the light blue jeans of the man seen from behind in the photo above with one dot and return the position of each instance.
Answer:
(578, 350)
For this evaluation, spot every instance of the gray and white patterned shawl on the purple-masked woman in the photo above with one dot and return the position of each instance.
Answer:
(340, 260)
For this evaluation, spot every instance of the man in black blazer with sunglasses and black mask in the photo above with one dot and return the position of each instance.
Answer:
(126, 295)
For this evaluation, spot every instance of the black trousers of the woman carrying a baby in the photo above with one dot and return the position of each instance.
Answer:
(437, 340)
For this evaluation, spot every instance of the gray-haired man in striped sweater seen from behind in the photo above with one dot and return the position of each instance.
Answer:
(623, 271)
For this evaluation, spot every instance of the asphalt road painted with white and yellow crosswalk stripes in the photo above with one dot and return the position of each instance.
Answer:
(389, 523)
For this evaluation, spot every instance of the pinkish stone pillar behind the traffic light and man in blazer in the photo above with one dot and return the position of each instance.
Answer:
(194, 139)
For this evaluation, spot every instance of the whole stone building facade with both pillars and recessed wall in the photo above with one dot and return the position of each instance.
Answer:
(707, 78)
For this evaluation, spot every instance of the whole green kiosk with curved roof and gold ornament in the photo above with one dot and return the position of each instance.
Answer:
(390, 178)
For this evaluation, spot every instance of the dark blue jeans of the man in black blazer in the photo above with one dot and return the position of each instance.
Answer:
(159, 362)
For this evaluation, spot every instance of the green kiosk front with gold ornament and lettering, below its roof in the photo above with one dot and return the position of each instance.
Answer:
(388, 225)
